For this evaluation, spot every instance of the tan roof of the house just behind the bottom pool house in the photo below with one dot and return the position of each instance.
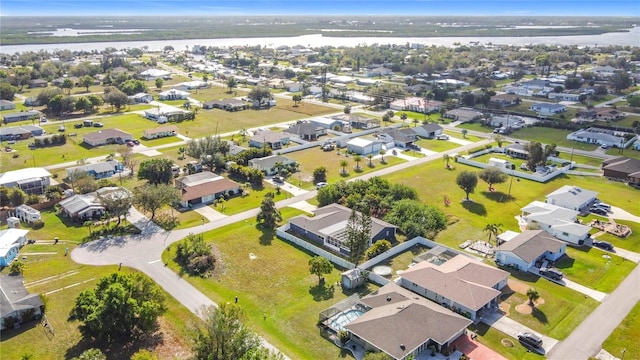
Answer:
(466, 281)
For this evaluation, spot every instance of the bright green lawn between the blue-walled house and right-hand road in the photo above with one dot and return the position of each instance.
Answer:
(588, 267)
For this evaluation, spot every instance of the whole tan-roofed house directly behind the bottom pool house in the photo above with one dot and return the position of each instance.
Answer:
(463, 284)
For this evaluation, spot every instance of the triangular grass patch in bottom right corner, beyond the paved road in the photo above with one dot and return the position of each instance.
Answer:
(625, 336)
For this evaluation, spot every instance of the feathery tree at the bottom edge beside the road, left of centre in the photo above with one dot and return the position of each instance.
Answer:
(224, 336)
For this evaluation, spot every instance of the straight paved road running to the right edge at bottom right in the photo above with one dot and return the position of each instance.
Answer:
(586, 340)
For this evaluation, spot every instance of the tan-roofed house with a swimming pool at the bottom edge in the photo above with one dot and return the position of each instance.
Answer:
(400, 324)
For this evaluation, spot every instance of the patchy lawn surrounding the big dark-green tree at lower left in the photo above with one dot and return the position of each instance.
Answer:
(53, 273)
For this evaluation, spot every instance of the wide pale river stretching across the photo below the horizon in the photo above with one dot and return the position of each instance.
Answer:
(630, 38)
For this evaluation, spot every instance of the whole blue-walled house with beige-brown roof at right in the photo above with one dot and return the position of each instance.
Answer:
(529, 247)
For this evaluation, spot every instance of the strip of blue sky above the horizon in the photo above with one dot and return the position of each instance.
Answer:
(325, 7)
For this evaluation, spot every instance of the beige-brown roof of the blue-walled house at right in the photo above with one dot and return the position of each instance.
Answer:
(531, 244)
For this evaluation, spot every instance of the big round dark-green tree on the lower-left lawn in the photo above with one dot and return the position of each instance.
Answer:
(121, 306)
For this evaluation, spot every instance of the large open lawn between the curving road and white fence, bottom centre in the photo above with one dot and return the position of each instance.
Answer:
(288, 297)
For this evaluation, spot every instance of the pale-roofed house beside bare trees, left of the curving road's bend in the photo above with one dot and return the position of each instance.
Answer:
(88, 206)
